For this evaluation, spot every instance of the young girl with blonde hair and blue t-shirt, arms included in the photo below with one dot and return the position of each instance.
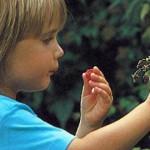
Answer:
(29, 56)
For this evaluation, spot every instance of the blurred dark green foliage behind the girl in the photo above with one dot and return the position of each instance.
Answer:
(112, 34)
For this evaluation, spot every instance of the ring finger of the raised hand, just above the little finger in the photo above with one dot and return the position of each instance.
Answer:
(102, 86)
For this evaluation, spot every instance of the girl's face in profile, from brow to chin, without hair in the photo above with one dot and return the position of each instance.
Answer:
(33, 61)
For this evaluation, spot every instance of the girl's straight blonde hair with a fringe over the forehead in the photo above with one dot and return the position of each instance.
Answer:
(19, 18)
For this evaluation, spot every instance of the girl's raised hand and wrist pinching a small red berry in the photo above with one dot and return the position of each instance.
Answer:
(96, 100)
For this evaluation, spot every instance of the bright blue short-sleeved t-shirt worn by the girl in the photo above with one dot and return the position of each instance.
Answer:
(21, 129)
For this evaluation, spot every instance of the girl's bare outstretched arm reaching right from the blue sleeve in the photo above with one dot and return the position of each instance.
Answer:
(121, 135)
